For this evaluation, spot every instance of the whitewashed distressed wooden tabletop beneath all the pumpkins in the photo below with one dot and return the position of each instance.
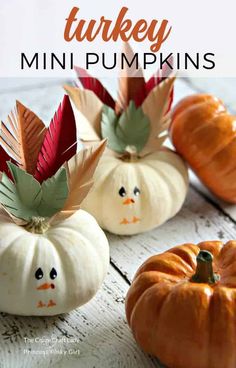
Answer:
(99, 330)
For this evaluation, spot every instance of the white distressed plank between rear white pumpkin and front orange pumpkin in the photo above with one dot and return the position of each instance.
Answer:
(197, 221)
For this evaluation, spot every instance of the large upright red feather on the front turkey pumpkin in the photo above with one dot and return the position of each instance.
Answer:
(59, 143)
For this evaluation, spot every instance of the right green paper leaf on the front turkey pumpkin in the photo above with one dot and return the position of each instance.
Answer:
(54, 194)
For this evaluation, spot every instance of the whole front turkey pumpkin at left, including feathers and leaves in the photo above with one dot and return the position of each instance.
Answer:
(53, 255)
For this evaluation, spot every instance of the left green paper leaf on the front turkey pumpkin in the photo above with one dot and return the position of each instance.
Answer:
(22, 197)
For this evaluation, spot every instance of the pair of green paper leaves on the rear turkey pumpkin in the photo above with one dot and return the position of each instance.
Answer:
(131, 128)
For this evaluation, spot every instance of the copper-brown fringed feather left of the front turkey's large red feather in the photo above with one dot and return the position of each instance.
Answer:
(22, 137)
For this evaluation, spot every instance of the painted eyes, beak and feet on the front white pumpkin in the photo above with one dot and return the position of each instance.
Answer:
(46, 284)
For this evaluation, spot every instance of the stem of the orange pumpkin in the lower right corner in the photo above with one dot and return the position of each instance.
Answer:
(204, 272)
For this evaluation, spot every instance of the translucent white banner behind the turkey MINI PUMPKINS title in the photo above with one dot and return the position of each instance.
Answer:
(38, 26)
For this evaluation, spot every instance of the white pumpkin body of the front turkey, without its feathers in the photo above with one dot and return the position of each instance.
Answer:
(53, 272)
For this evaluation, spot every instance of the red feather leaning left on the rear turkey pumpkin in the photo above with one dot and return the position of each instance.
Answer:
(96, 86)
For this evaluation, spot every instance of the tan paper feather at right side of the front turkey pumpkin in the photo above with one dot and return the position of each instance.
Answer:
(80, 169)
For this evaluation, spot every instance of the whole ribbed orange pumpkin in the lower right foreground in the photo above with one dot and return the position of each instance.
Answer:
(181, 306)
